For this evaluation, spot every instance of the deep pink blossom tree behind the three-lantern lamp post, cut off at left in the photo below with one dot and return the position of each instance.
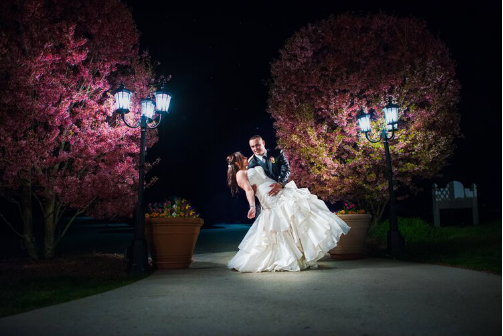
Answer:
(61, 146)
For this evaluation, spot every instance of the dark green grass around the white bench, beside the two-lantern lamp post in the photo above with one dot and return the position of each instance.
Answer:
(472, 247)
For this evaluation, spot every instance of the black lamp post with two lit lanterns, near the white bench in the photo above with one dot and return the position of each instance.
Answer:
(396, 242)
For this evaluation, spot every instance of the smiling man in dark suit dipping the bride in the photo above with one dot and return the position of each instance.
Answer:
(274, 163)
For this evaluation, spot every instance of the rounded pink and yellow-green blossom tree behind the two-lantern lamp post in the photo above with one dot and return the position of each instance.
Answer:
(327, 71)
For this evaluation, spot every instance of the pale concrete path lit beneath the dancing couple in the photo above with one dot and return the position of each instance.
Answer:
(368, 296)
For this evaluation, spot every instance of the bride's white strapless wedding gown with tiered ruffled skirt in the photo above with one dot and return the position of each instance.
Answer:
(294, 230)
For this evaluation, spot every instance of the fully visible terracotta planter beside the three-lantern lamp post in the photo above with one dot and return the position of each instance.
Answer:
(172, 241)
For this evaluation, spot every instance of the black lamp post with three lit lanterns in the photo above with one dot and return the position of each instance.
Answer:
(151, 114)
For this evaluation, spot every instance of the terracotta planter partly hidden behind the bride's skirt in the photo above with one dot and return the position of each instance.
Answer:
(352, 245)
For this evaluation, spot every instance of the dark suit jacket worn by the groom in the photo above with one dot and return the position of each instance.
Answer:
(276, 167)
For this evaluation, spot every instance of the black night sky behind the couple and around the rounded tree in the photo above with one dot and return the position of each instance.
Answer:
(219, 59)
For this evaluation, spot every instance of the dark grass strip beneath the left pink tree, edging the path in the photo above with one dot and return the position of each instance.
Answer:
(26, 285)
